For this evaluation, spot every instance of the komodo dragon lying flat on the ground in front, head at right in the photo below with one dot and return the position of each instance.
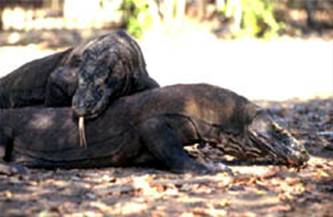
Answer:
(149, 128)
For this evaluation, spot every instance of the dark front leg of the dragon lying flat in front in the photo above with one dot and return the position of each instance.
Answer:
(164, 143)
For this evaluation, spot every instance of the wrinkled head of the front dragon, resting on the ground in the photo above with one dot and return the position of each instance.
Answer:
(265, 139)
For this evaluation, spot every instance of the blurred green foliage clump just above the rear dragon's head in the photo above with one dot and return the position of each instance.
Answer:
(137, 16)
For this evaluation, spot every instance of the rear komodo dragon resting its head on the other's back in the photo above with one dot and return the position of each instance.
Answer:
(87, 77)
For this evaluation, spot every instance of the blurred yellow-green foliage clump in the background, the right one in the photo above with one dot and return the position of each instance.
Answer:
(256, 18)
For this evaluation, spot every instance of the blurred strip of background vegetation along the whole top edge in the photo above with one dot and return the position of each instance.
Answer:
(231, 18)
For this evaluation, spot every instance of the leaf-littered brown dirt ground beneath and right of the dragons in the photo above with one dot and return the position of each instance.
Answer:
(252, 190)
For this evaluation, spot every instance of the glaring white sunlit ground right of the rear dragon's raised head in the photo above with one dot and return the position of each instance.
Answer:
(279, 69)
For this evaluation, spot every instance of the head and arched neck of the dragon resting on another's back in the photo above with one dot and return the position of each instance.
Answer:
(106, 66)
